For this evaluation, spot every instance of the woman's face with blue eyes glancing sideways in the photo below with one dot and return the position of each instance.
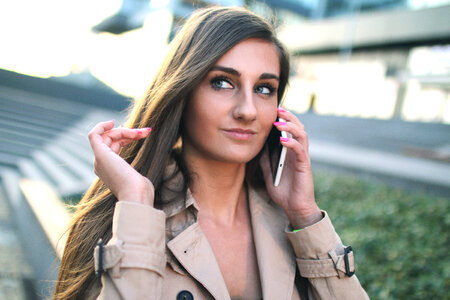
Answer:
(230, 113)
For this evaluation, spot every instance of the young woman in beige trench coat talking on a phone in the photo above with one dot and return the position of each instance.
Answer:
(188, 209)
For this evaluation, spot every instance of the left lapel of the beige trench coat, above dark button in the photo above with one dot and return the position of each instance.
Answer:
(192, 250)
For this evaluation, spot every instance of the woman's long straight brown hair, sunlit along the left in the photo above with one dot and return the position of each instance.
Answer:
(206, 36)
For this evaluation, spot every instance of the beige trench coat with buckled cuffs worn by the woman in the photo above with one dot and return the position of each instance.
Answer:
(158, 254)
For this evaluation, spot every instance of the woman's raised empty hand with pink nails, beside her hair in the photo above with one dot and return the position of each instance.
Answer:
(119, 176)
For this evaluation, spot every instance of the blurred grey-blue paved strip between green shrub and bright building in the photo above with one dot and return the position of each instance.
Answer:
(414, 153)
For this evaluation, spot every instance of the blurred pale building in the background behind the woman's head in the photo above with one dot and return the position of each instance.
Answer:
(361, 58)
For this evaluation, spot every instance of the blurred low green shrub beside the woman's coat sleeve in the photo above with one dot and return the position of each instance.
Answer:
(400, 238)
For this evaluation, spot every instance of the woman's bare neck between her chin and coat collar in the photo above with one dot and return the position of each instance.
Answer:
(218, 188)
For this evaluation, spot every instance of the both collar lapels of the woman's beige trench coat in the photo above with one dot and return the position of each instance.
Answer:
(276, 260)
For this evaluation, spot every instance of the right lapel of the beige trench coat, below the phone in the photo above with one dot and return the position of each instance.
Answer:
(276, 258)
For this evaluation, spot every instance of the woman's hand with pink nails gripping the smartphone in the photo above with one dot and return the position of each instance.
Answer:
(295, 193)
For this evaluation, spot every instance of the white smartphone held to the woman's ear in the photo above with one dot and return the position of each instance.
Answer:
(277, 153)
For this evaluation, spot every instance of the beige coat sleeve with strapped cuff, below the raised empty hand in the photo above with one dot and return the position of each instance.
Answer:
(134, 259)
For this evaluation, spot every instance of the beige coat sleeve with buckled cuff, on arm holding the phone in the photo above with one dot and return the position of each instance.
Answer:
(320, 258)
